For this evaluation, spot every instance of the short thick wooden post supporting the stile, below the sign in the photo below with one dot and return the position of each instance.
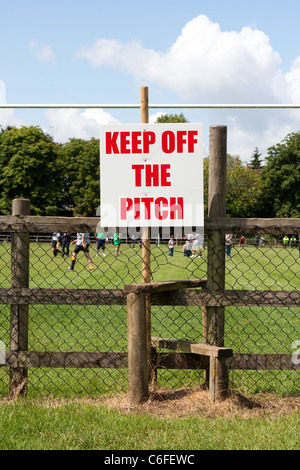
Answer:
(137, 349)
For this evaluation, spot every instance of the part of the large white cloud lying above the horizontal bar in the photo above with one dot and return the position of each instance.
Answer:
(204, 63)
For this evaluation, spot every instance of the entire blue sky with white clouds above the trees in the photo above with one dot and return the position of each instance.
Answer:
(69, 51)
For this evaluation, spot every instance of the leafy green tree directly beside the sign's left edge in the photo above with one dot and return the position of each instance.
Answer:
(81, 176)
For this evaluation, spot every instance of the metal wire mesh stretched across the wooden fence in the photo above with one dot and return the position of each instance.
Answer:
(254, 263)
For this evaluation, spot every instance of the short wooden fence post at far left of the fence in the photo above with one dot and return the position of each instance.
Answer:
(19, 312)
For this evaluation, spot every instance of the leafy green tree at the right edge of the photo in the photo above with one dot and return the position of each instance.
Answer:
(281, 178)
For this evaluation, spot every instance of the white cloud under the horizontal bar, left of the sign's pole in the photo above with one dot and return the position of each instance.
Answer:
(68, 123)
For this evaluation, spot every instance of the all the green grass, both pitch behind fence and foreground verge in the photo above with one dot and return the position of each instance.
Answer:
(59, 412)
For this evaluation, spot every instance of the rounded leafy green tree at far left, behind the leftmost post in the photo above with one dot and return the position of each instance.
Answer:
(29, 168)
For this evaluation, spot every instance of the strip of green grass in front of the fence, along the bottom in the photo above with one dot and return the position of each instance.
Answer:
(30, 425)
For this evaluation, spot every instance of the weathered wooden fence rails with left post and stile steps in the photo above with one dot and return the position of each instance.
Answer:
(196, 292)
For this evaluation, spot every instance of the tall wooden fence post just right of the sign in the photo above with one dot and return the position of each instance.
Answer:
(213, 317)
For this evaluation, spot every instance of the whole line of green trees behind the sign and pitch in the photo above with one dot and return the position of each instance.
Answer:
(64, 179)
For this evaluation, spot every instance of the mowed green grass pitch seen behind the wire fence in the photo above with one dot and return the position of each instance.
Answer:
(90, 328)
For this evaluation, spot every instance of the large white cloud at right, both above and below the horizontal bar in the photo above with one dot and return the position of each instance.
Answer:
(208, 65)
